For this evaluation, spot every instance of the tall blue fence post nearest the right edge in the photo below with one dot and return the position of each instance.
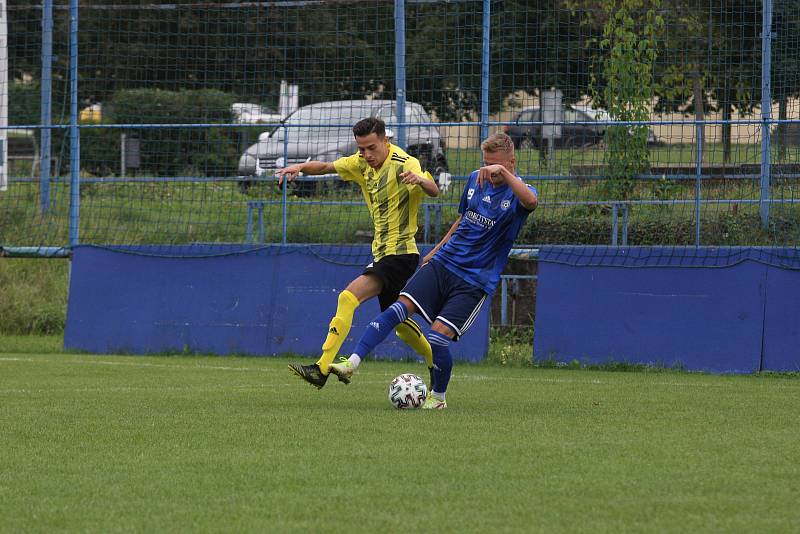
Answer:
(766, 108)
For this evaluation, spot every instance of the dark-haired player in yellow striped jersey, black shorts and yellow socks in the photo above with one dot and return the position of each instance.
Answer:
(393, 185)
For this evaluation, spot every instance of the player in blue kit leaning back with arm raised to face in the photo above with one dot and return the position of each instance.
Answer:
(463, 269)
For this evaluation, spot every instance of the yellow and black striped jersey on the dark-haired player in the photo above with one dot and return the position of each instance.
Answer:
(392, 204)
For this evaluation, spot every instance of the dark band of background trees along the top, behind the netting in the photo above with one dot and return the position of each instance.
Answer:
(709, 51)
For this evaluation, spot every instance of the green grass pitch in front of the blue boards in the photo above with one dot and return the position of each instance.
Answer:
(121, 443)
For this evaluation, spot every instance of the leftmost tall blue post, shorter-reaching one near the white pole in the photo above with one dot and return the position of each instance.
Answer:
(46, 105)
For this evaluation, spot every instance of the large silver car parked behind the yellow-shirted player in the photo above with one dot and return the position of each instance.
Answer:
(323, 132)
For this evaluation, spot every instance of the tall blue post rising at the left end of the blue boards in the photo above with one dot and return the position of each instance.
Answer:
(74, 134)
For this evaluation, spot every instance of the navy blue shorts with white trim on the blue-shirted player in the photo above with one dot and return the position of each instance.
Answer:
(440, 294)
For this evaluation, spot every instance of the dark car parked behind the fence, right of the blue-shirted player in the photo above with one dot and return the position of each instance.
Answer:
(574, 133)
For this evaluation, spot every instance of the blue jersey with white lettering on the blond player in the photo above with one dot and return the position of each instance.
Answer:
(491, 218)
